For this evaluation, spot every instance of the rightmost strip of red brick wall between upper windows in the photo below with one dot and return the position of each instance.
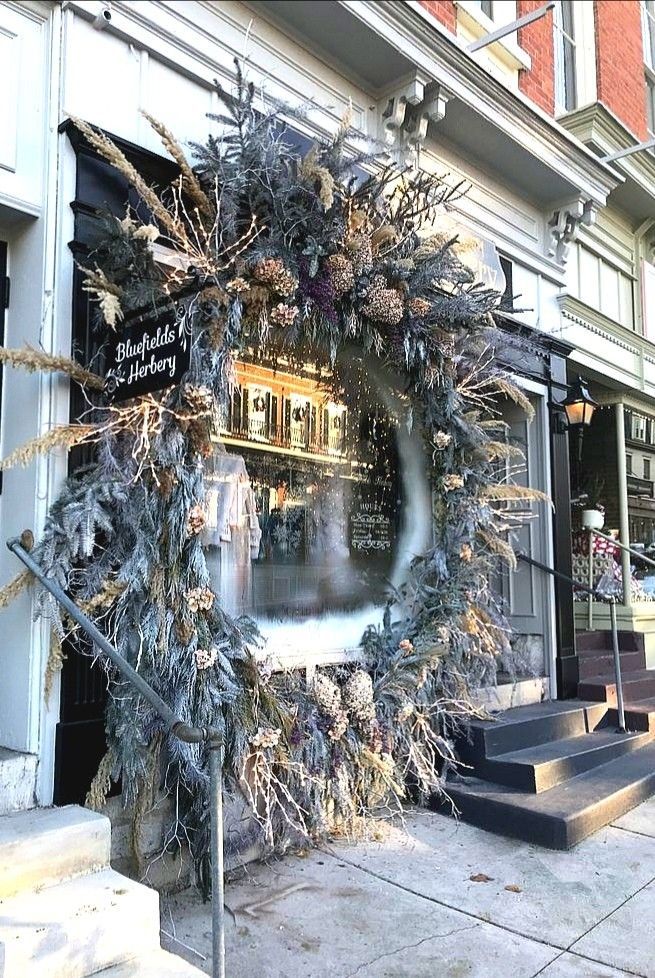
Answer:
(620, 62)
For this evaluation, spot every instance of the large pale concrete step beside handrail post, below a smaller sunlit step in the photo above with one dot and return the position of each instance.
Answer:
(79, 927)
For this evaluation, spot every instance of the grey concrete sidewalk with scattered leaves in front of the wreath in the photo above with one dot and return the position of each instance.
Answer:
(409, 906)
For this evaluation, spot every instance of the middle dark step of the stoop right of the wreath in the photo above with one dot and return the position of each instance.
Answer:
(540, 768)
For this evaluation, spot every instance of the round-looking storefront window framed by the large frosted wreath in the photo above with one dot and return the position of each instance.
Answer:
(306, 501)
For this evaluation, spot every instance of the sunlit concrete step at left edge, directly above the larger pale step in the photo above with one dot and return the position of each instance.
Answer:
(46, 846)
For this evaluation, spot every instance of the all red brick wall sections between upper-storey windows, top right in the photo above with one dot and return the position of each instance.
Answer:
(619, 56)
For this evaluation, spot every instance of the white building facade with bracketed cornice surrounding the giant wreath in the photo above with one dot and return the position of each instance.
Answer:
(533, 191)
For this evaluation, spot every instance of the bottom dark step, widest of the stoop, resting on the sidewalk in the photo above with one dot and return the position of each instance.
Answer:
(566, 814)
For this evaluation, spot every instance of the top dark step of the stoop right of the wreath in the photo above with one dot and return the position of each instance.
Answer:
(529, 726)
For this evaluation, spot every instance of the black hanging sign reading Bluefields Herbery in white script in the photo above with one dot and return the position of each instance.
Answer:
(148, 356)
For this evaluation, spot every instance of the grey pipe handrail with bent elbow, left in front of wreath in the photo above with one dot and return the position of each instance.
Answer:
(183, 731)
